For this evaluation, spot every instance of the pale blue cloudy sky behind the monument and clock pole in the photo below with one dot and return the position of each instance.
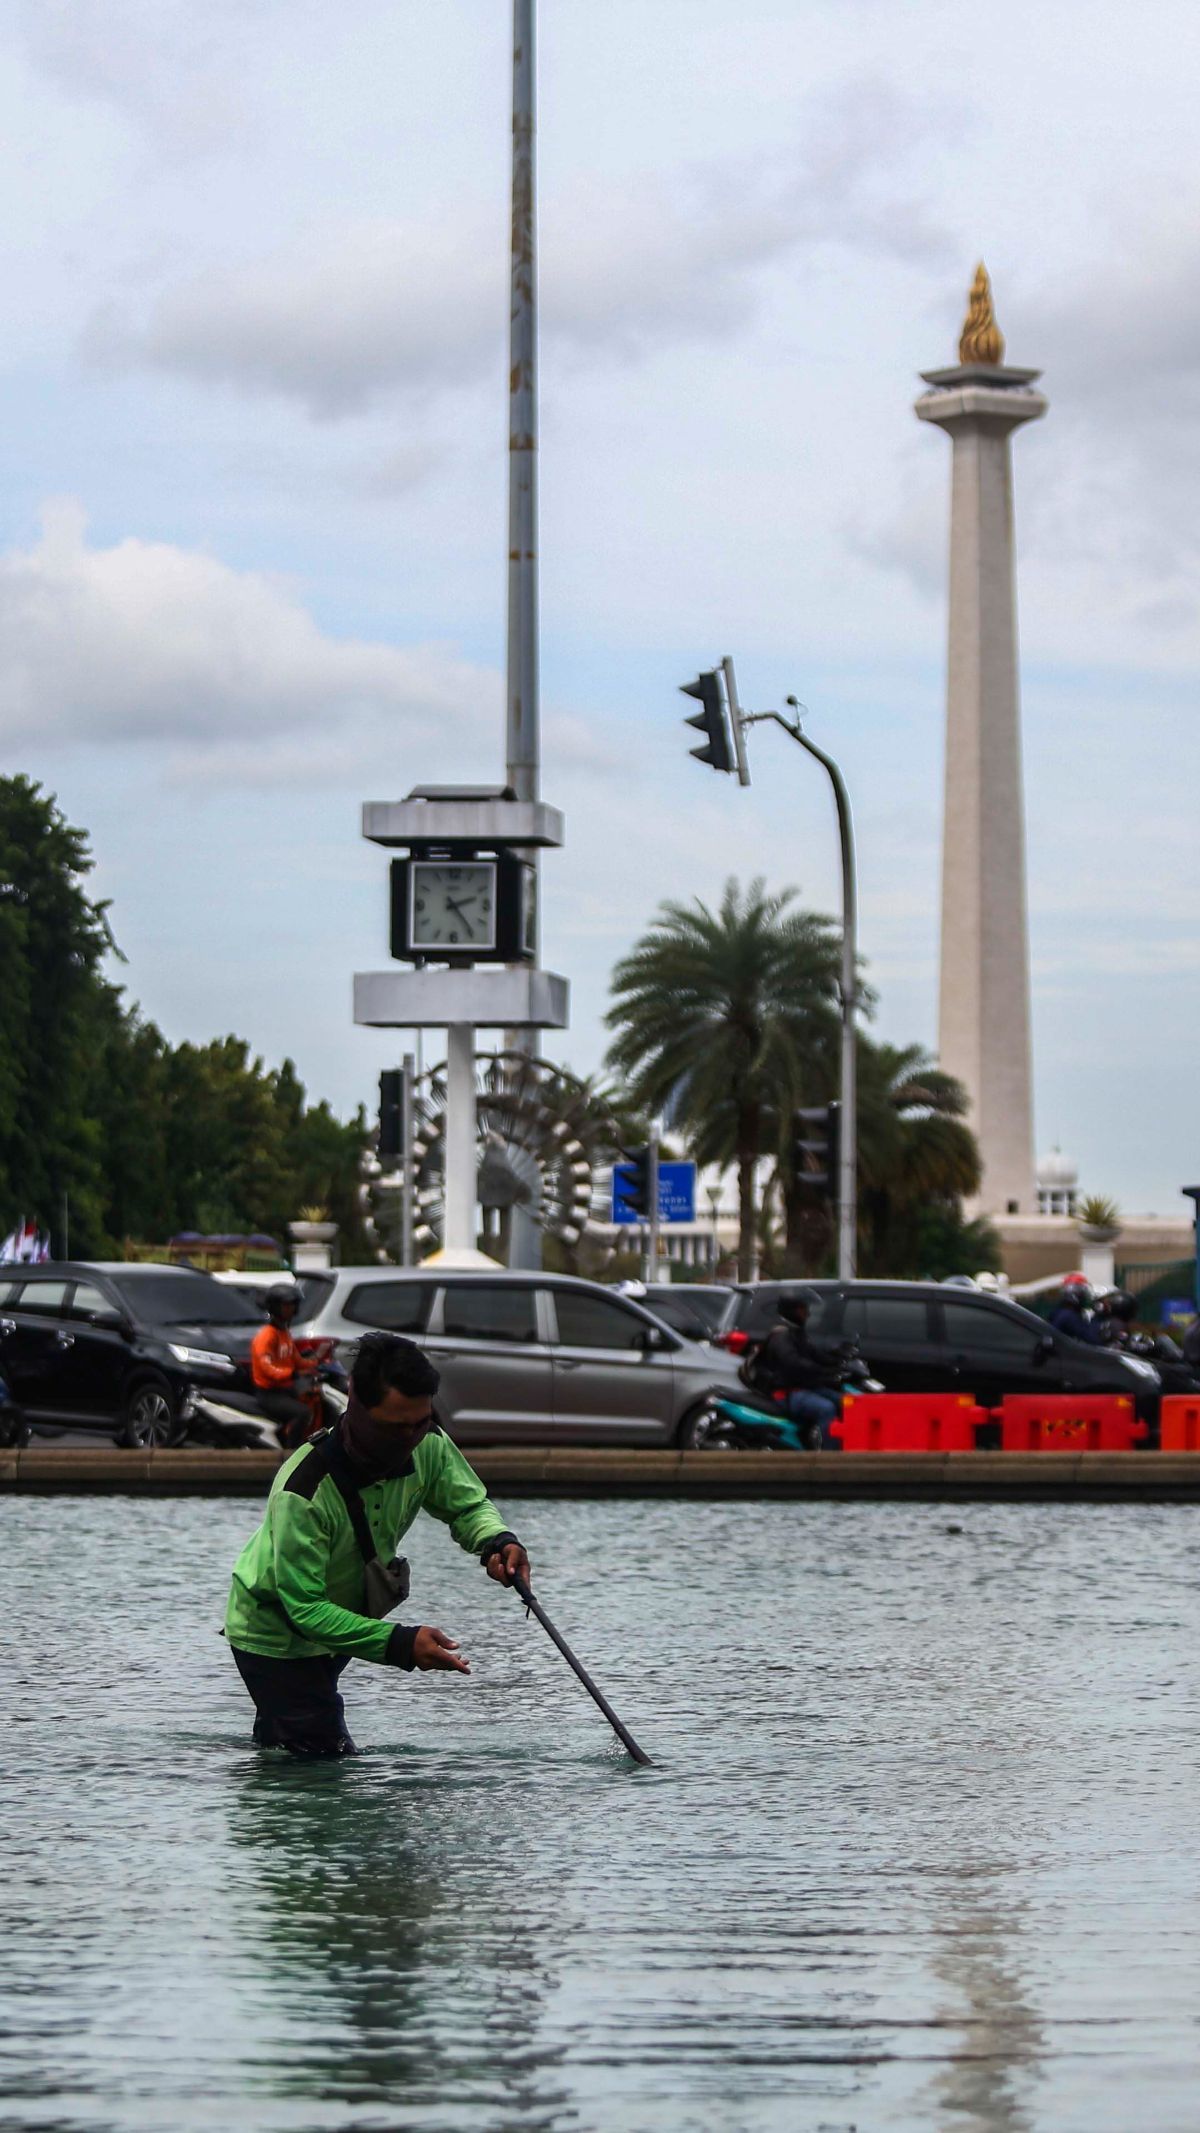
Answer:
(255, 513)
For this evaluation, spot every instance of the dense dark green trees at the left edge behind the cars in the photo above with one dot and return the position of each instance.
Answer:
(97, 1108)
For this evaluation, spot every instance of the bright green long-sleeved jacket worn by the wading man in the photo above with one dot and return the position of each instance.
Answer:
(299, 1584)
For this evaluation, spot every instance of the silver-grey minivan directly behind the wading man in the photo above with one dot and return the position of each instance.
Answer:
(528, 1358)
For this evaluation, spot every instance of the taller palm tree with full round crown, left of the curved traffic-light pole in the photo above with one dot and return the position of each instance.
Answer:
(719, 1016)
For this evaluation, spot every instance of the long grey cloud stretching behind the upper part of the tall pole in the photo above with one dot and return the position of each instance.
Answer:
(383, 306)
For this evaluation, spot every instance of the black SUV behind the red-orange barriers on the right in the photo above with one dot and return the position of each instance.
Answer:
(930, 1338)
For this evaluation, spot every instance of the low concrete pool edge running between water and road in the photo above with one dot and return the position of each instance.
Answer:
(609, 1473)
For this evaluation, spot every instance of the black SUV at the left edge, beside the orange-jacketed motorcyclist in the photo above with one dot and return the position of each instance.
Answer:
(118, 1347)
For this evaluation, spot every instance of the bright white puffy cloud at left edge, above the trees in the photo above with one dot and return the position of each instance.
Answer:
(159, 645)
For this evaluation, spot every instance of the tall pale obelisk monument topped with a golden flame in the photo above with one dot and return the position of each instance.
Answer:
(984, 1012)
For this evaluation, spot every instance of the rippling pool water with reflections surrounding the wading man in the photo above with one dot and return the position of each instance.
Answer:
(918, 1848)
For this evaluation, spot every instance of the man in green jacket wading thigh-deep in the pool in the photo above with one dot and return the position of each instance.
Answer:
(314, 1584)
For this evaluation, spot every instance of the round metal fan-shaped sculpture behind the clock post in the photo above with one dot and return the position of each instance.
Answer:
(542, 1138)
